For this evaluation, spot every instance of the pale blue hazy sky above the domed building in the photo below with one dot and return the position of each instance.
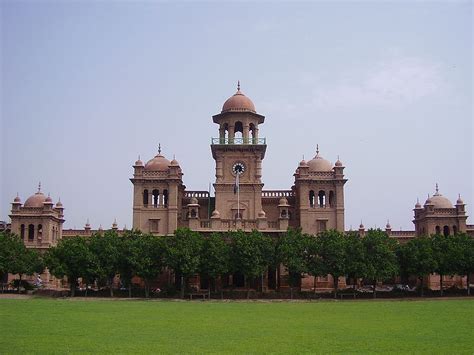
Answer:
(87, 86)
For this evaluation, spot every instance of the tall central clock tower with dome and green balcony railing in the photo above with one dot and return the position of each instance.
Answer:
(238, 152)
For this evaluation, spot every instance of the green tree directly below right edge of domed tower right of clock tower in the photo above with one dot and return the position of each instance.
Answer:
(332, 252)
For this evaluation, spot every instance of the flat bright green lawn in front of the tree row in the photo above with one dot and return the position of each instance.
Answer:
(49, 325)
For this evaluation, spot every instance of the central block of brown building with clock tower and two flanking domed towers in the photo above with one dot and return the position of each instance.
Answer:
(161, 202)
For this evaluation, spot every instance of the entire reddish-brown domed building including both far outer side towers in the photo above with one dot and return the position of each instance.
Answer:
(161, 202)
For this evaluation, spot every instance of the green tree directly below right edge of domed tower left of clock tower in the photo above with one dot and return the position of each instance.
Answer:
(183, 254)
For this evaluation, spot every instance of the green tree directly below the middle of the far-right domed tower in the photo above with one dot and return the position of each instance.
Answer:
(444, 253)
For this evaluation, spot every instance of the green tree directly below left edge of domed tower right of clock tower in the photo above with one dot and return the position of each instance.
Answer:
(291, 252)
